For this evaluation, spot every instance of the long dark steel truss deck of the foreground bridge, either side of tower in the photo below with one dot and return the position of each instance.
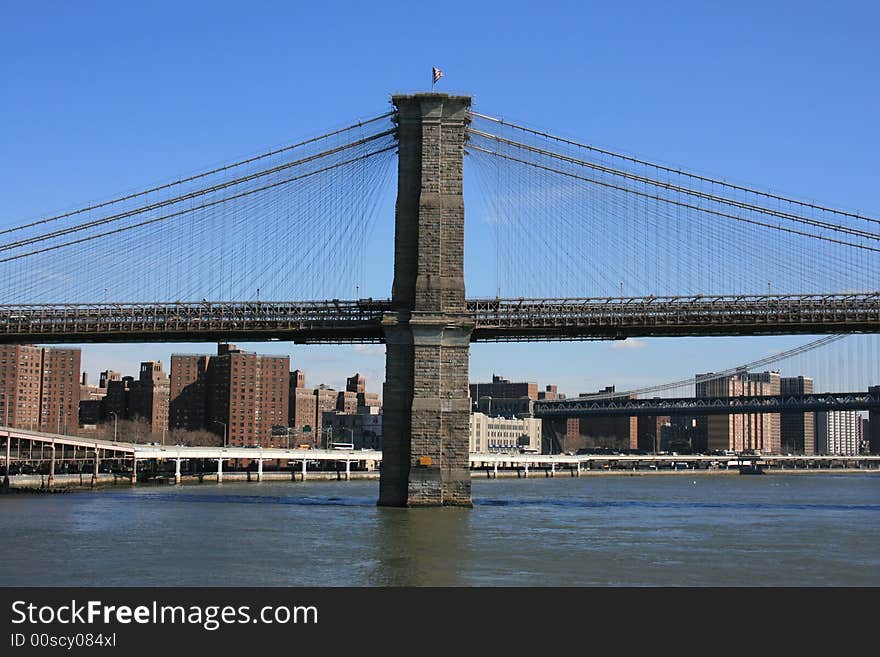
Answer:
(495, 320)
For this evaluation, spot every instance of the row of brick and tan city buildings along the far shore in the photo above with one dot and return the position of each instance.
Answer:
(261, 400)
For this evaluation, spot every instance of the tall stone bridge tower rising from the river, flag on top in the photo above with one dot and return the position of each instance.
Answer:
(426, 404)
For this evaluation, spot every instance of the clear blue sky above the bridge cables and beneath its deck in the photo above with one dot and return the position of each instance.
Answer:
(103, 97)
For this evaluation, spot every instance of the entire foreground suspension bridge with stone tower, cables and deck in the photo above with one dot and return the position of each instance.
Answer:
(590, 244)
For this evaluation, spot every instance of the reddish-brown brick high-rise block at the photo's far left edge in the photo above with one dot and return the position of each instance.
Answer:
(39, 387)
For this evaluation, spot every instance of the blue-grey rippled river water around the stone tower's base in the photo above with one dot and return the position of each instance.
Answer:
(770, 530)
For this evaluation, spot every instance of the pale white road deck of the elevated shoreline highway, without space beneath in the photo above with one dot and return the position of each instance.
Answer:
(574, 462)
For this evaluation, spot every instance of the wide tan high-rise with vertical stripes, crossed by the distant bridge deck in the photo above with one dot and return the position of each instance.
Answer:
(759, 432)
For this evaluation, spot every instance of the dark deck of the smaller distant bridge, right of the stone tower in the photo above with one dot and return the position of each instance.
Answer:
(617, 406)
